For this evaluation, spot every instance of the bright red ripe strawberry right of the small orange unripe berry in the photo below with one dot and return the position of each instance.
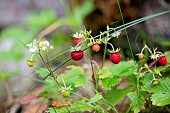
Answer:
(115, 57)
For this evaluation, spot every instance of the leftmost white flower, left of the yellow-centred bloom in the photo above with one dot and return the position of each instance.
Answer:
(33, 46)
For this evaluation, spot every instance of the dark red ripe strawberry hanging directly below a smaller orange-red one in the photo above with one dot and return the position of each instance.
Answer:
(77, 55)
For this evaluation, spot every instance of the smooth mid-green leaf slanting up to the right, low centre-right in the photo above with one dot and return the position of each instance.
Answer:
(116, 95)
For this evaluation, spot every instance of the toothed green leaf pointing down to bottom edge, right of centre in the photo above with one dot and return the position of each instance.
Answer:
(138, 100)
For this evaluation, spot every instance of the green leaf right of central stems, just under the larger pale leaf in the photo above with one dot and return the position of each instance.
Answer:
(110, 81)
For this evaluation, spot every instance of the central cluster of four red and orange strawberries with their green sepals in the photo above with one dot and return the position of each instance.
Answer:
(77, 54)
